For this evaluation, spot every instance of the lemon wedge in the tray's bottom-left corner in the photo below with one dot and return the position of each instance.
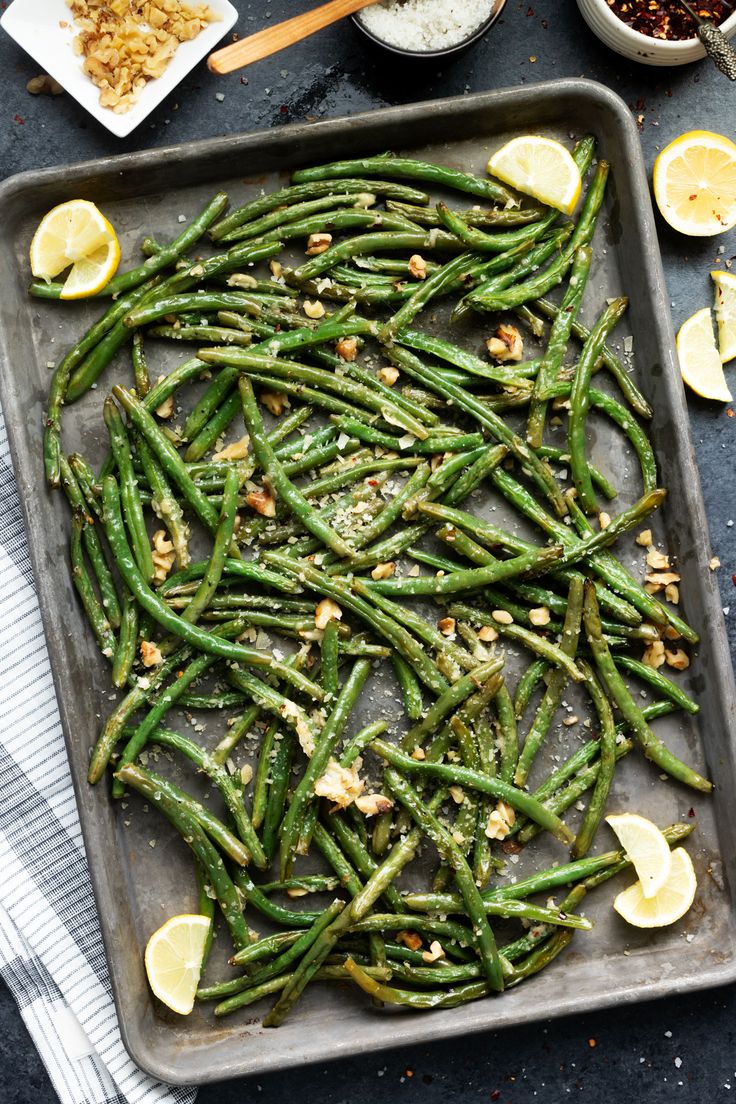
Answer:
(174, 961)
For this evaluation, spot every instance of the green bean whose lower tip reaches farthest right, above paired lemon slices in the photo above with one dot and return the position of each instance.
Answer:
(653, 747)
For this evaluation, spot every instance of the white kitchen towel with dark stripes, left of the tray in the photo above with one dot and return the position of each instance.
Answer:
(51, 951)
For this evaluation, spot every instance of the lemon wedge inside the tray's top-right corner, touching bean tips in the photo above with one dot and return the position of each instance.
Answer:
(539, 167)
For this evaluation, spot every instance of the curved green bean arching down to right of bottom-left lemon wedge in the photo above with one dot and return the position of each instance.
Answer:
(196, 838)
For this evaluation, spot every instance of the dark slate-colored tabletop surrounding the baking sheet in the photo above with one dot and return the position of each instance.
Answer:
(676, 1049)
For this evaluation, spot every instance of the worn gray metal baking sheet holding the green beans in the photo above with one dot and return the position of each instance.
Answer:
(137, 885)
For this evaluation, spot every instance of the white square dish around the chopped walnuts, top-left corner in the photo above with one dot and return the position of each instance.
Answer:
(46, 30)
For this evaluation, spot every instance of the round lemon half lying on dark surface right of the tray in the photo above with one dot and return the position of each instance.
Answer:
(696, 184)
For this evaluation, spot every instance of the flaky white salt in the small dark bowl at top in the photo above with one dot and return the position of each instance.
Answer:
(425, 25)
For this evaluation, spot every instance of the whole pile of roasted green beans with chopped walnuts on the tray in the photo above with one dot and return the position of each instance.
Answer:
(285, 527)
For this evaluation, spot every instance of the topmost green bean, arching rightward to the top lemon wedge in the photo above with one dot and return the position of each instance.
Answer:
(404, 167)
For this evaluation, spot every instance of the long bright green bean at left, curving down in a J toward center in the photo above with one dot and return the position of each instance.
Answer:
(207, 642)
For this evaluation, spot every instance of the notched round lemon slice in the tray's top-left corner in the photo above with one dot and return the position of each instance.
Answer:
(76, 235)
